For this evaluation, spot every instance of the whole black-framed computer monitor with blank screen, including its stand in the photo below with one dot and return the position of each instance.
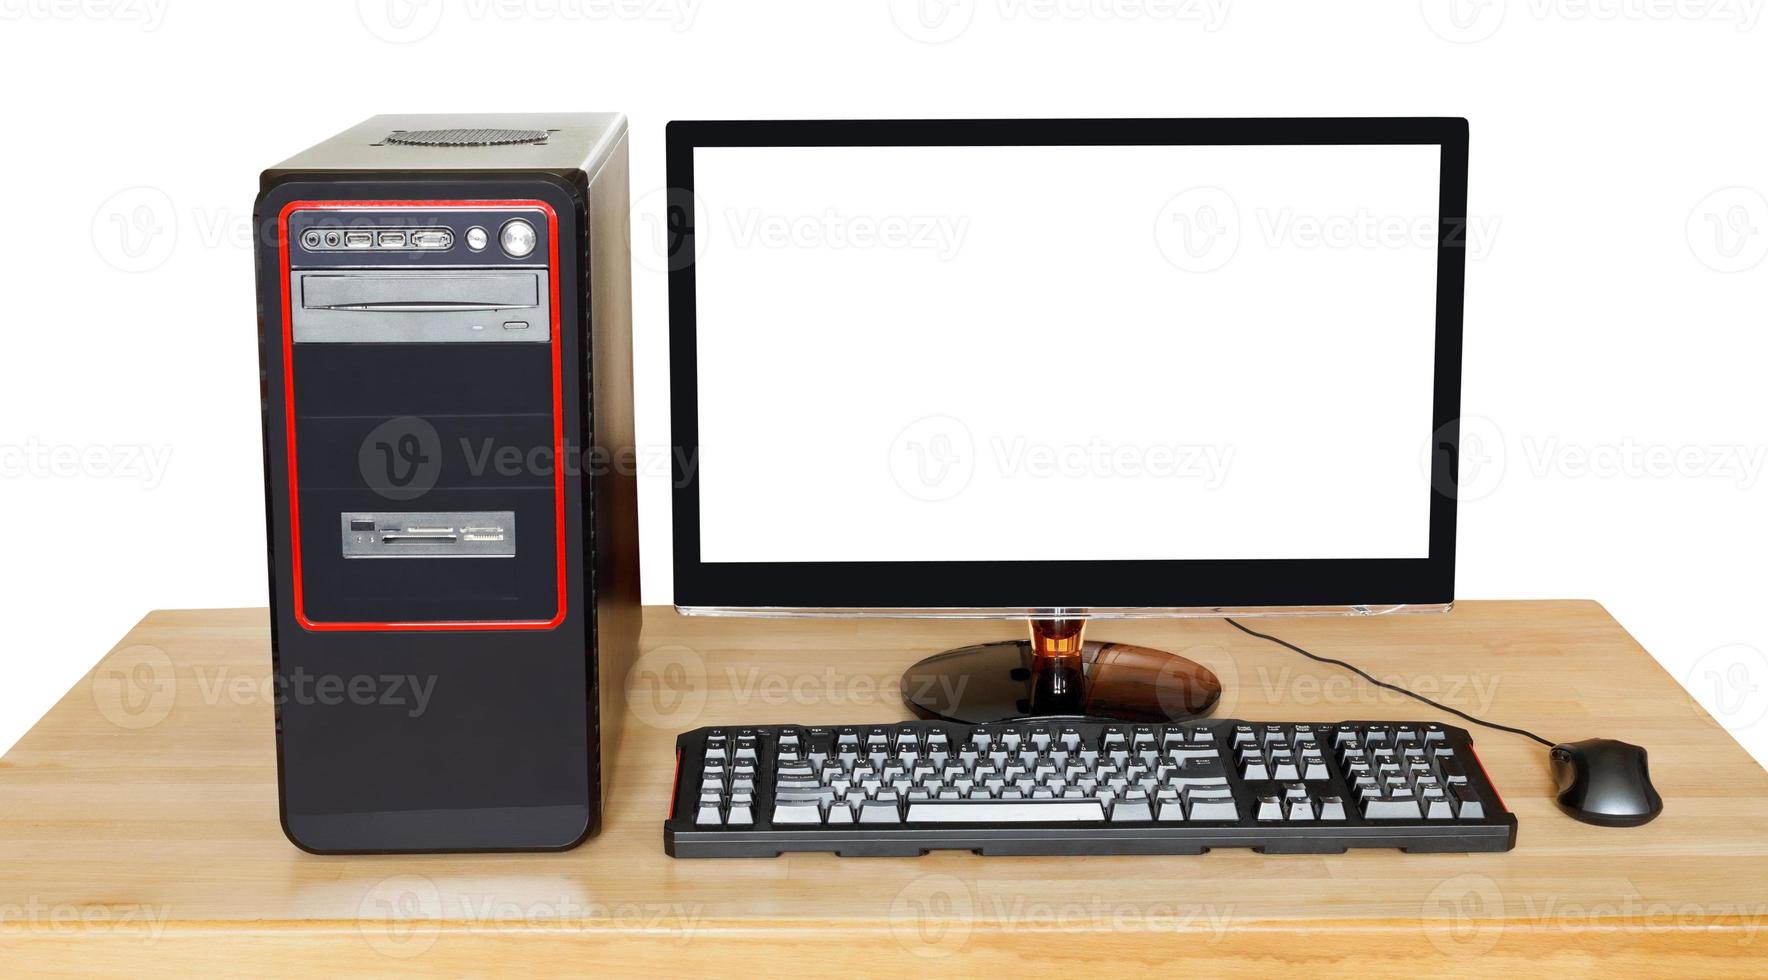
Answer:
(1065, 371)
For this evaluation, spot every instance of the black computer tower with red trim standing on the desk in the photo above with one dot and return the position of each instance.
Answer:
(448, 443)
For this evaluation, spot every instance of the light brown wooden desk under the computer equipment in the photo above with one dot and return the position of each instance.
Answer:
(139, 829)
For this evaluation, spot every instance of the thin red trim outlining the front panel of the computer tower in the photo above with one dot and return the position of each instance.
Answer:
(289, 415)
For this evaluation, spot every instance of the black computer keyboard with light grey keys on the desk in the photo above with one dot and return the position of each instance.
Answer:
(1079, 788)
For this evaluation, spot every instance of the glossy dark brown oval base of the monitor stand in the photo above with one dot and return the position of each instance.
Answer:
(1009, 680)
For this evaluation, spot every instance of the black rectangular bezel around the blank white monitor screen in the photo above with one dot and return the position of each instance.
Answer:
(1044, 585)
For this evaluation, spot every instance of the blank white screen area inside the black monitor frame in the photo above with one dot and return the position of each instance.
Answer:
(1044, 353)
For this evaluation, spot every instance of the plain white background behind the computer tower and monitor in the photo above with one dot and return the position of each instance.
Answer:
(1615, 296)
